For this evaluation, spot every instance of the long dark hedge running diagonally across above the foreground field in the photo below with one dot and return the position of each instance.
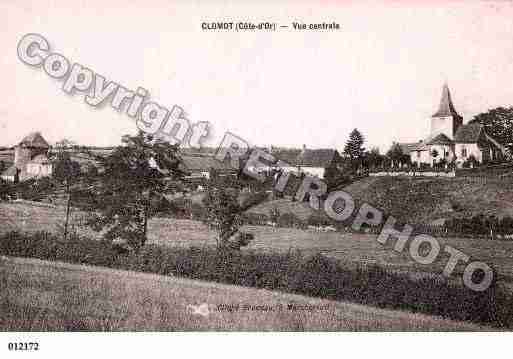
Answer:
(316, 276)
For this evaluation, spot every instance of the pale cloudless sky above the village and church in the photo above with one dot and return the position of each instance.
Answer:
(382, 72)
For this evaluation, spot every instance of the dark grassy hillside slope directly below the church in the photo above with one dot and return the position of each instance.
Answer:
(430, 200)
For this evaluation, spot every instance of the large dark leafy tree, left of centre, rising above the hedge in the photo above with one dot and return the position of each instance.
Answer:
(132, 179)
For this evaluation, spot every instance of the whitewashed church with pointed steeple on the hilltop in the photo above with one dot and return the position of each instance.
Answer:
(453, 141)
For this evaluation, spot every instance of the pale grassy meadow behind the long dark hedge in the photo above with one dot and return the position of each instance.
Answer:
(348, 247)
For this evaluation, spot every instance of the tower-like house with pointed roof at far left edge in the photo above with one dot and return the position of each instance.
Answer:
(30, 159)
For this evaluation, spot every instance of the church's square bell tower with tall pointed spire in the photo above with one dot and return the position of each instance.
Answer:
(446, 120)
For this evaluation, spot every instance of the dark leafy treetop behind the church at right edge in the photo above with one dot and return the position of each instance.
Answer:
(498, 123)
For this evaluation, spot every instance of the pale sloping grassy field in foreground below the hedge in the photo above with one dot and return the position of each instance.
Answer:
(38, 296)
